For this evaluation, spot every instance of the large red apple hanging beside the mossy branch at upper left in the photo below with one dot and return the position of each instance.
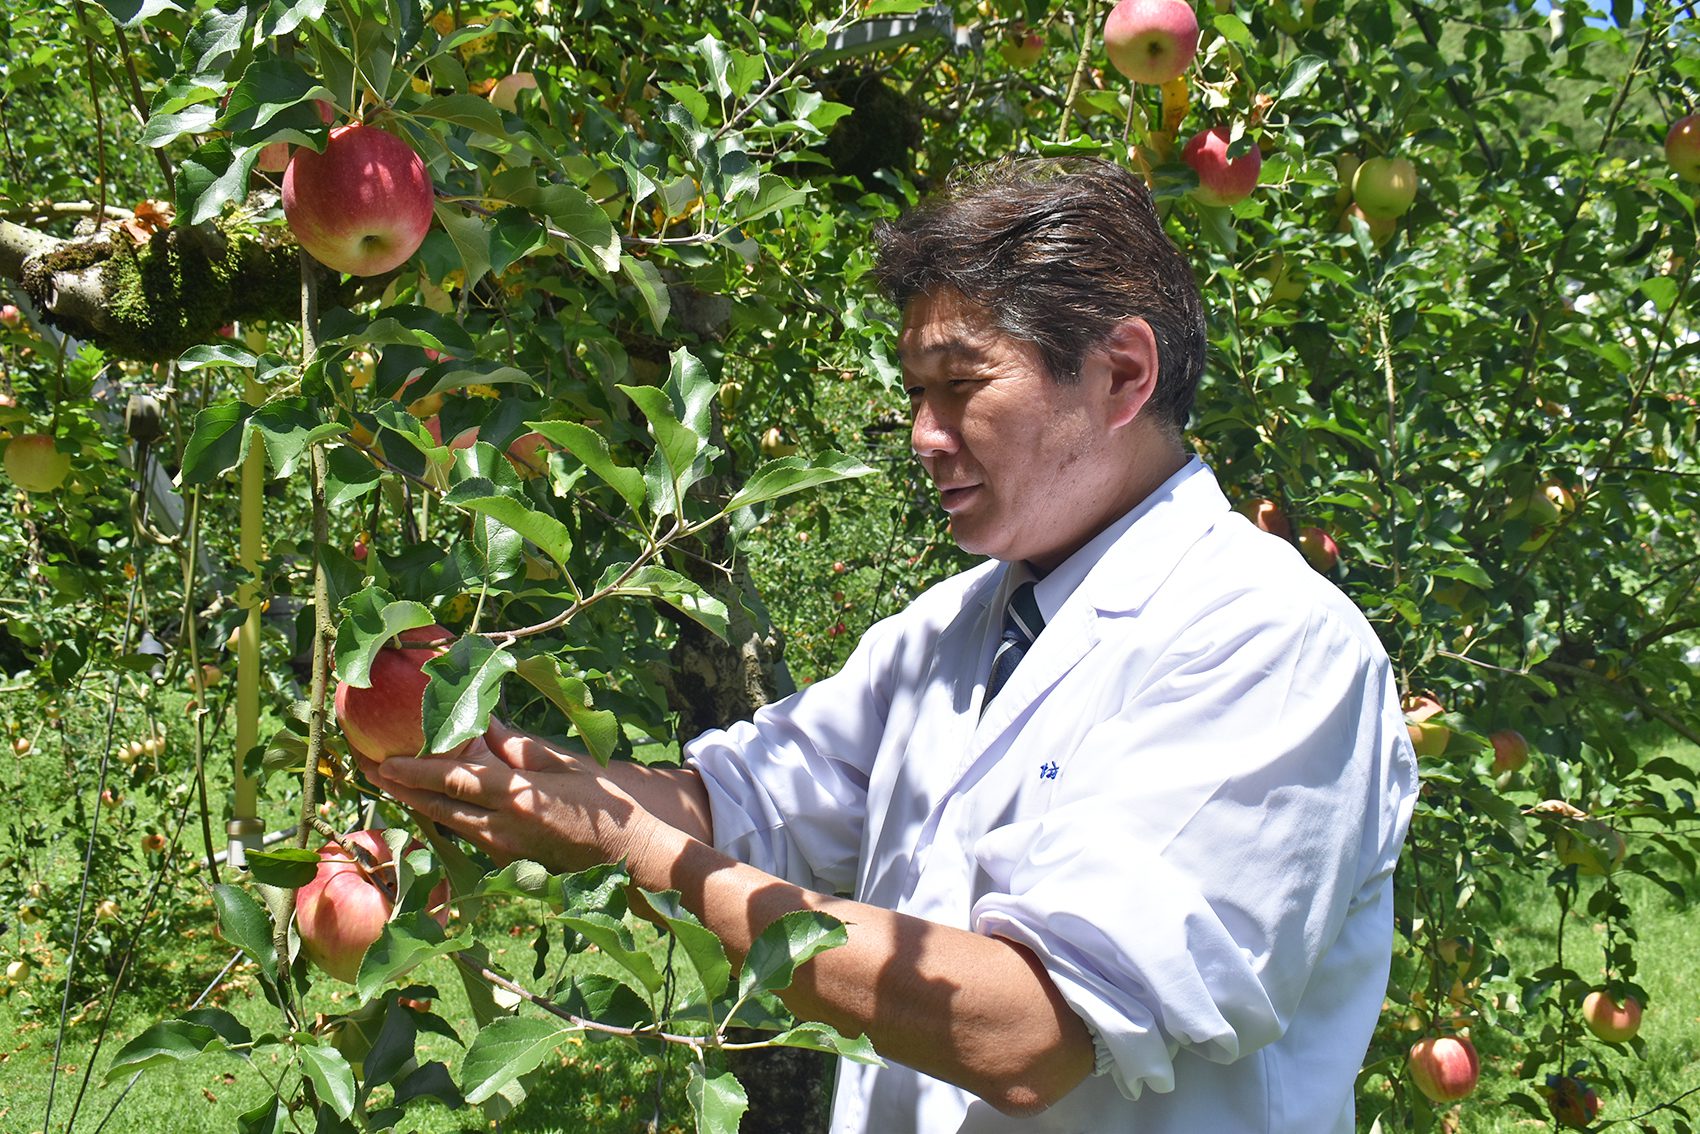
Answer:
(363, 207)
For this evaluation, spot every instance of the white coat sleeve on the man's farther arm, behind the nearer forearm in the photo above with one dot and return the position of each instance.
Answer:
(788, 790)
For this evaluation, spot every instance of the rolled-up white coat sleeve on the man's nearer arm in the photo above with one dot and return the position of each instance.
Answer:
(1210, 841)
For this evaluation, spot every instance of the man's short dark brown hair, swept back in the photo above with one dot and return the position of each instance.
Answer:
(1058, 252)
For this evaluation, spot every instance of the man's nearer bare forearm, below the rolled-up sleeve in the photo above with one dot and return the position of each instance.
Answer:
(963, 1007)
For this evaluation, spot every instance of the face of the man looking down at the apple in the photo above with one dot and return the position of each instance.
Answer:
(1023, 463)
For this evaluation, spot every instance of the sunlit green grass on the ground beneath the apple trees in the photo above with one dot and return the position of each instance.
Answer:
(604, 1087)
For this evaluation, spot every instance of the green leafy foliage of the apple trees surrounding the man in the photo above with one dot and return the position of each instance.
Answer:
(659, 256)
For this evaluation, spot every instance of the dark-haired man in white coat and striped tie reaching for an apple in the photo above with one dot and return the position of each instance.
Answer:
(1147, 885)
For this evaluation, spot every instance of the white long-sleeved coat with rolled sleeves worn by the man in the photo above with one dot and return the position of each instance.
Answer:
(1187, 802)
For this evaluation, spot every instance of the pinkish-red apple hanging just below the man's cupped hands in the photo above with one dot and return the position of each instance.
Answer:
(344, 910)
